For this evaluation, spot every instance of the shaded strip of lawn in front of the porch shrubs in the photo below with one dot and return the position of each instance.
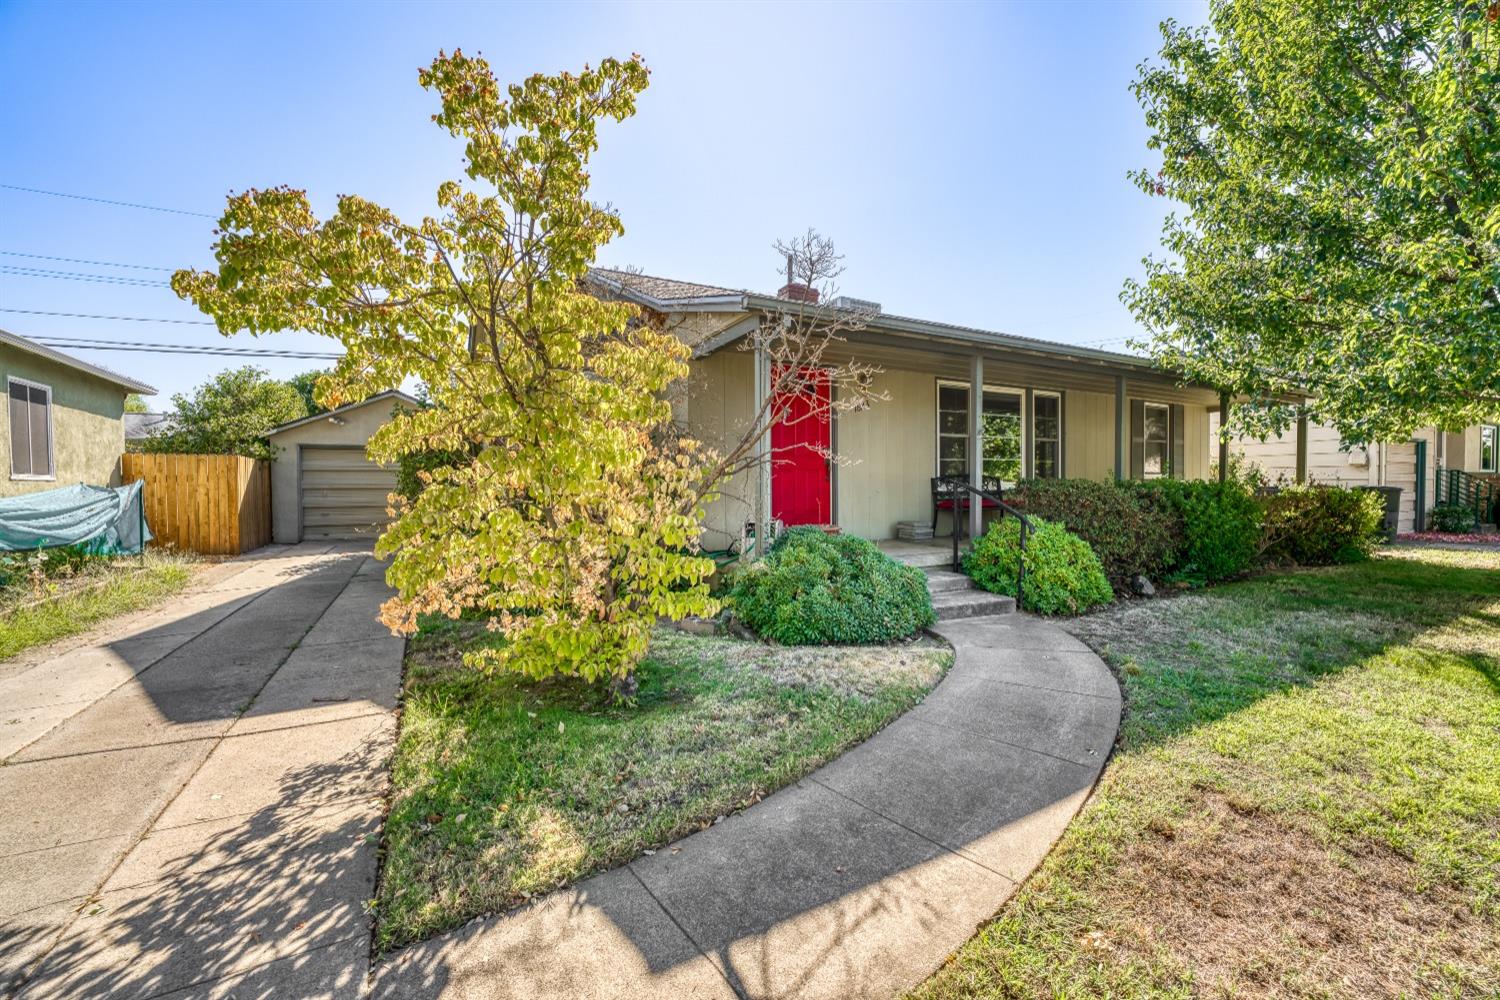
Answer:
(1201, 657)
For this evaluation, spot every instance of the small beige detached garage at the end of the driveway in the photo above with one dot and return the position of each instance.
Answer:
(323, 488)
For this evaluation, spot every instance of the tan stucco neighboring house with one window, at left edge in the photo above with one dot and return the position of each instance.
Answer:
(64, 419)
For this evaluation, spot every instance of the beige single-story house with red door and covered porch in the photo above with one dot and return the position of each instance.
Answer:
(1046, 410)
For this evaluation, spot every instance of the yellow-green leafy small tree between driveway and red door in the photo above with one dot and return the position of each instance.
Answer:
(571, 509)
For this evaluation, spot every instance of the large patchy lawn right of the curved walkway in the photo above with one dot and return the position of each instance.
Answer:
(1306, 800)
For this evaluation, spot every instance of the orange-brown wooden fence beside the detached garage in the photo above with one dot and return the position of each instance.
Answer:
(214, 504)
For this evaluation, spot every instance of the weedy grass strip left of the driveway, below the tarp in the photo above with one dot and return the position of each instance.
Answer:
(79, 594)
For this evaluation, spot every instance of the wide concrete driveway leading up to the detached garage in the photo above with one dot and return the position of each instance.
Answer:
(193, 801)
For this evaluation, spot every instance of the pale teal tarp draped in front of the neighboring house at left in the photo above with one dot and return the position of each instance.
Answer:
(103, 519)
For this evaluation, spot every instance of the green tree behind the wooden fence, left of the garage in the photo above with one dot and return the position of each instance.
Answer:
(230, 415)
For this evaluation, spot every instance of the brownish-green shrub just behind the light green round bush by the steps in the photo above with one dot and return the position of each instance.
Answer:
(1129, 528)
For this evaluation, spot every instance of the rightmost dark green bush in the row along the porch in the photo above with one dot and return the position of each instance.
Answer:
(1321, 525)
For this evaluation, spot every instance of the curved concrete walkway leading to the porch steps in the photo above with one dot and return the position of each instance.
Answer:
(856, 882)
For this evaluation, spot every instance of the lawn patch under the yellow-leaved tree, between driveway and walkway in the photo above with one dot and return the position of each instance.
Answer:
(508, 788)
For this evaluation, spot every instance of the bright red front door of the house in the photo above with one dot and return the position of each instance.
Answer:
(802, 473)
